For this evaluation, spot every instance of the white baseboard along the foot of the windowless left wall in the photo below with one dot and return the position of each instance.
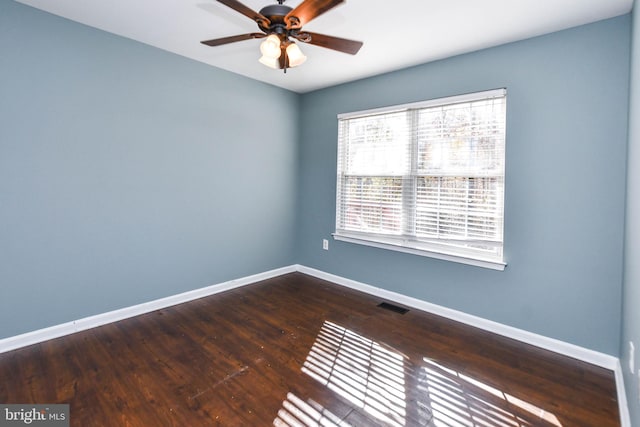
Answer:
(40, 335)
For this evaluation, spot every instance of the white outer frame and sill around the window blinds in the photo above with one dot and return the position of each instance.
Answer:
(432, 249)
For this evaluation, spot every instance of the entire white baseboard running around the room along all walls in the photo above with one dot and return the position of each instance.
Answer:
(596, 358)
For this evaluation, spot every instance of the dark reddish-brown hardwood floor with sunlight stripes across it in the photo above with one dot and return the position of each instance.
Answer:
(299, 351)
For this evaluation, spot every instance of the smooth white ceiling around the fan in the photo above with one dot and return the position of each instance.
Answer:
(396, 33)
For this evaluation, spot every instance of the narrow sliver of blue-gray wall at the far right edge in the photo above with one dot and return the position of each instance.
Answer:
(631, 290)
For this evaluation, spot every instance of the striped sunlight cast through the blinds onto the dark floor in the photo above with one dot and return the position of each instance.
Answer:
(376, 379)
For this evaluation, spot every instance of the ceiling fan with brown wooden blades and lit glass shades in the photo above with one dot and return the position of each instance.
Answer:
(280, 26)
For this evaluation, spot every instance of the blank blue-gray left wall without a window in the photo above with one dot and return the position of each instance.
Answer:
(128, 173)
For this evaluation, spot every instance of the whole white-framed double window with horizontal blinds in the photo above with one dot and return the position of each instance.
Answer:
(426, 178)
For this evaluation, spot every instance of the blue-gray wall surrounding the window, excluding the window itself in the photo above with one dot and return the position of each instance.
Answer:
(565, 184)
